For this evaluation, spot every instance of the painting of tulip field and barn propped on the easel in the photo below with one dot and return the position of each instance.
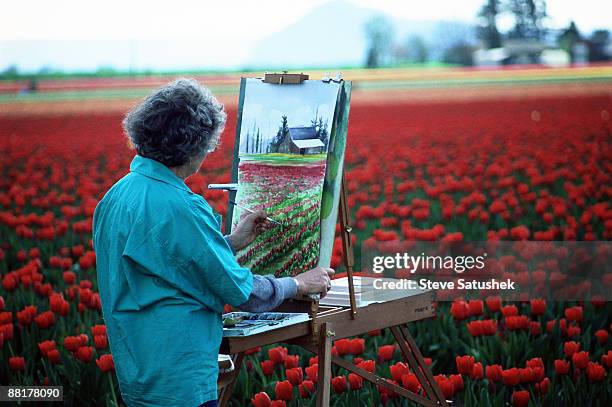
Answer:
(288, 161)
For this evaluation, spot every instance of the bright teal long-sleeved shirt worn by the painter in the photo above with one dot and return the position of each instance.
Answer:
(164, 273)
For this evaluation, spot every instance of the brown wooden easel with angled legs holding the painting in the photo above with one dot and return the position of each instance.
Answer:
(333, 323)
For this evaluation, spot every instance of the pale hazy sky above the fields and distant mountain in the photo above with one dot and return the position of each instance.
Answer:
(85, 34)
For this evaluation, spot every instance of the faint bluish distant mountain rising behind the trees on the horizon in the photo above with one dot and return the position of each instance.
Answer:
(333, 34)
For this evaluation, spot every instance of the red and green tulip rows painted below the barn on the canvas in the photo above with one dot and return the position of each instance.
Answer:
(288, 187)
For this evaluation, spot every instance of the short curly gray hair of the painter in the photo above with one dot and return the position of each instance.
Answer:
(176, 123)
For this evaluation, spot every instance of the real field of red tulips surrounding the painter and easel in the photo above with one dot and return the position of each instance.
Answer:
(483, 167)
